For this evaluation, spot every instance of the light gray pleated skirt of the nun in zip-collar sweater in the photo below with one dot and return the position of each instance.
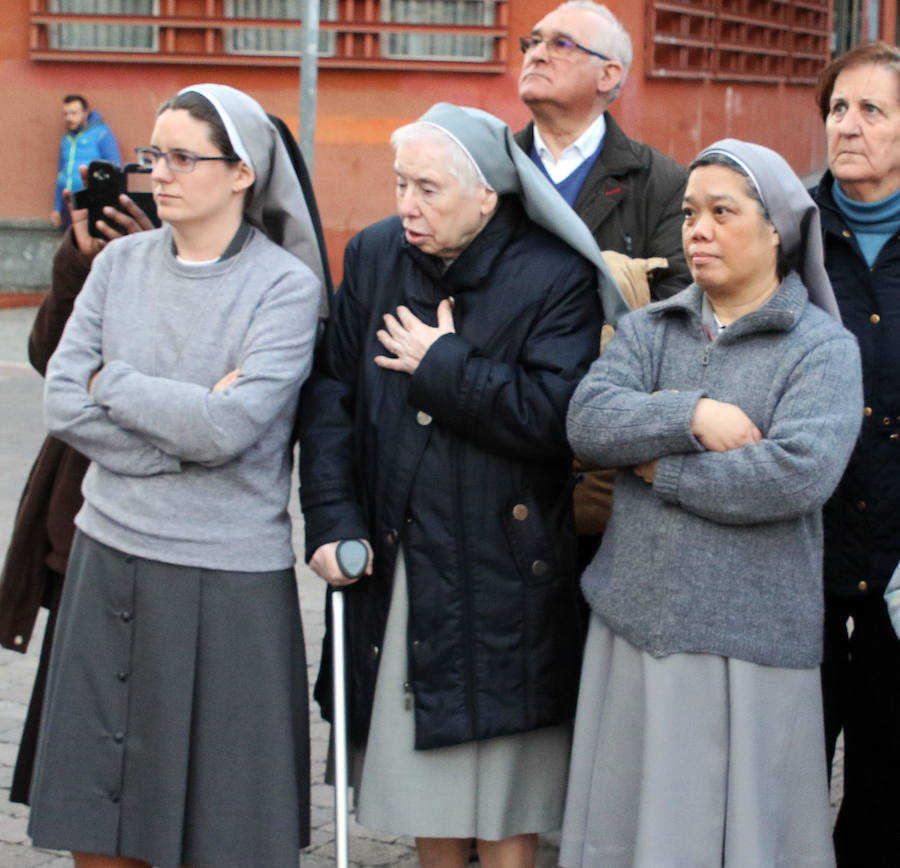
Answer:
(694, 760)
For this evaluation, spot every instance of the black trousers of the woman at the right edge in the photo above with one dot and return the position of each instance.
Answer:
(861, 693)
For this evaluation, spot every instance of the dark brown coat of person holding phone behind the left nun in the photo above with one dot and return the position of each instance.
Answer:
(44, 525)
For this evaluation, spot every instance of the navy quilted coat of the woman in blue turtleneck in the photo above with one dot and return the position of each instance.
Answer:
(862, 519)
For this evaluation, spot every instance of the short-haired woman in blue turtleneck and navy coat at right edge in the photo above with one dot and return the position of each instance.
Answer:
(859, 200)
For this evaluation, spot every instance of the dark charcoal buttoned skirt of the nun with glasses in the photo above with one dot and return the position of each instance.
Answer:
(175, 728)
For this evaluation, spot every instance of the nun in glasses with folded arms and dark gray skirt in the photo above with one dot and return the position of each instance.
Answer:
(175, 729)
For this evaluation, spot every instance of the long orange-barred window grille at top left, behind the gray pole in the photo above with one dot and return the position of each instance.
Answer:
(448, 35)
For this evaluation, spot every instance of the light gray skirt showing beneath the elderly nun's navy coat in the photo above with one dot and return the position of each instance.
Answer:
(491, 789)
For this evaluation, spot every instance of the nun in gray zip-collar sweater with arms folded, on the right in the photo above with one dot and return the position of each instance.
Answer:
(730, 411)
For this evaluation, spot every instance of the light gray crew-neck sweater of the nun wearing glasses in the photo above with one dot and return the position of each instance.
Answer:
(180, 473)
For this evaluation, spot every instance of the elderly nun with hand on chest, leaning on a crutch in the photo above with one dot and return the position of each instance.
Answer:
(434, 429)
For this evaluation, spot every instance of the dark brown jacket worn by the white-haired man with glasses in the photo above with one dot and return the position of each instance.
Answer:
(631, 201)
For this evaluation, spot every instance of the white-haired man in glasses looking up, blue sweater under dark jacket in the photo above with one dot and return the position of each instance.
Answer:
(575, 62)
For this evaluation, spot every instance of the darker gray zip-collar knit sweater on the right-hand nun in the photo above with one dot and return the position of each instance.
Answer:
(723, 553)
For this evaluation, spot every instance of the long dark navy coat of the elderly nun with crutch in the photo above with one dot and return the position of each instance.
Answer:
(465, 465)
